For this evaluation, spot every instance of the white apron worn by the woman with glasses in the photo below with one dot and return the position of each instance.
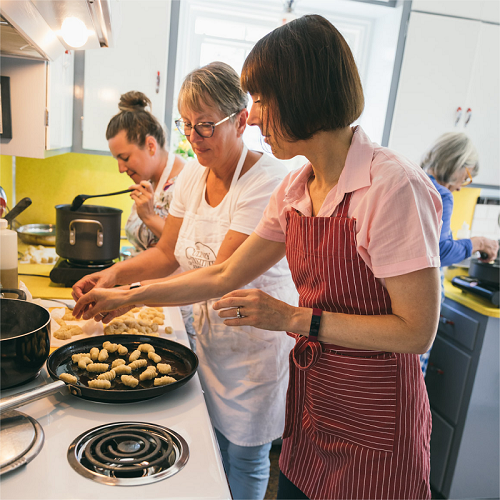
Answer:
(244, 370)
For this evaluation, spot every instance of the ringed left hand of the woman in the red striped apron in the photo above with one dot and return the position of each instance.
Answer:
(257, 308)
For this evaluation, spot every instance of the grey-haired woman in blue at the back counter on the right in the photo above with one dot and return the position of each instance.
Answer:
(451, 163)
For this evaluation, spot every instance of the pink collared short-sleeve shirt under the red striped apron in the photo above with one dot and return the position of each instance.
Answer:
(396, 207)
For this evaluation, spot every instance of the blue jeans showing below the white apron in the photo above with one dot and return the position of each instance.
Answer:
(247, 468)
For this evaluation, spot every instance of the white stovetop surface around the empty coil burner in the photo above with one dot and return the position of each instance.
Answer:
(63, 418)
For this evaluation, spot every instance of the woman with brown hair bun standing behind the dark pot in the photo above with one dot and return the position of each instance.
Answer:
(137, 140)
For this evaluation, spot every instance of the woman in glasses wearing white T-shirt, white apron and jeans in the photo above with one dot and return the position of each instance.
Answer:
(219, 199)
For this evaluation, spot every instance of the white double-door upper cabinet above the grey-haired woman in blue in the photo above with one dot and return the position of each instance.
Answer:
(449, 82)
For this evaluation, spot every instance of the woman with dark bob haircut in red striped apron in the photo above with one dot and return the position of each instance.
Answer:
(359, 225)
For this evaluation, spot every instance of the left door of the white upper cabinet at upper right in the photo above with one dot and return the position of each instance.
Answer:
(434, 81)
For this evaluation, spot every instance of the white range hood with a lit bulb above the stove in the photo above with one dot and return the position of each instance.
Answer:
(32, 28)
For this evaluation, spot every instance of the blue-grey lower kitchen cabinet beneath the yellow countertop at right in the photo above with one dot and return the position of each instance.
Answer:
(463, 385)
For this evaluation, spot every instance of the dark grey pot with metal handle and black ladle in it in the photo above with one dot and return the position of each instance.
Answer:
(89, 235)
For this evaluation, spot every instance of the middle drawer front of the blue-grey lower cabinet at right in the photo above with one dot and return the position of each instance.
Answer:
(446, 377)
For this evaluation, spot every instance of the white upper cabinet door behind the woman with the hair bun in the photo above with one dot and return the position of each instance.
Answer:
(138, 61)
